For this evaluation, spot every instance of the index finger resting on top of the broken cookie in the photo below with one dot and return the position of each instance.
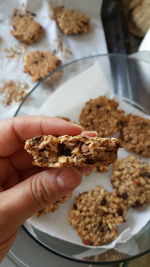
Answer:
(15, 131)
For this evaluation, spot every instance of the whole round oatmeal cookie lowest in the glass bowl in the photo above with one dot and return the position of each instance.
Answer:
(96, 214)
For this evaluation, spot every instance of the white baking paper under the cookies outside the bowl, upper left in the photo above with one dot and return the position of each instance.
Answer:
(67, 48)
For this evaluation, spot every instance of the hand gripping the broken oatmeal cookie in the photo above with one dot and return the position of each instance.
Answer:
(24, 188)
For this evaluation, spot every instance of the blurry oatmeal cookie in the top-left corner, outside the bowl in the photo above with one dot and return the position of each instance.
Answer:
(25, 28)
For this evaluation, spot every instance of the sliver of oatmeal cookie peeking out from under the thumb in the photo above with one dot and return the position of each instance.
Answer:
(52, 207)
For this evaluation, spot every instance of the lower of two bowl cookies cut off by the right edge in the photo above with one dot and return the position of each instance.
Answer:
(131, 179)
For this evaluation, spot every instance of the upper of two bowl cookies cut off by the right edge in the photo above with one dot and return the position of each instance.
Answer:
(135, 135)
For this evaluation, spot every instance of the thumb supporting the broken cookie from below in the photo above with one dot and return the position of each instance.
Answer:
(26, 198)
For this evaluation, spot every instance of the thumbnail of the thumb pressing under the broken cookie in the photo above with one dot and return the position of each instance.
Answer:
(69, 178)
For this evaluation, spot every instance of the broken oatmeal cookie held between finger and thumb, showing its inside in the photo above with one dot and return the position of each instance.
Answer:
(64, 151)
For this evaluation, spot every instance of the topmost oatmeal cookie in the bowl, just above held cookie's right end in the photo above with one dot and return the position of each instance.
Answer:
(102, 115)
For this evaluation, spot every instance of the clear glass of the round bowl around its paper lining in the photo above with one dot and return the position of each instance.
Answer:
(130, 81)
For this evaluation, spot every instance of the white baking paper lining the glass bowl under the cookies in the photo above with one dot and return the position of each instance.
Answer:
(72, 96)
